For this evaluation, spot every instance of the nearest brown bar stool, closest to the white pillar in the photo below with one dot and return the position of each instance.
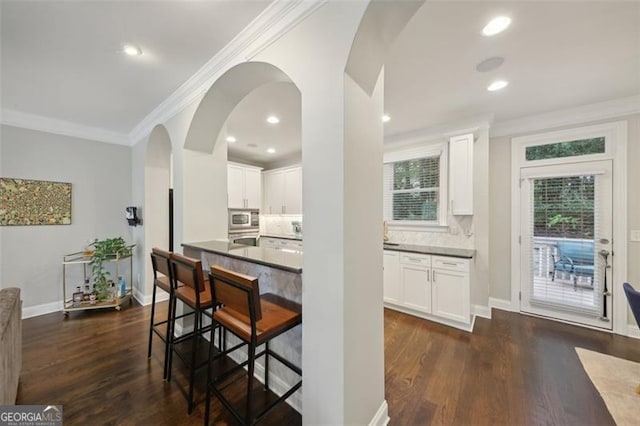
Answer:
(255, 320)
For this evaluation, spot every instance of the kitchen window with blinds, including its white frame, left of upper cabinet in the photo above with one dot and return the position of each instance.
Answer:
(415, 187)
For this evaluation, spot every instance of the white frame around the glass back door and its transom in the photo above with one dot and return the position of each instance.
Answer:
(615, 134)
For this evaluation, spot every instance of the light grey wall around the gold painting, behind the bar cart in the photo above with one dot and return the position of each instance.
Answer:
(100, 175)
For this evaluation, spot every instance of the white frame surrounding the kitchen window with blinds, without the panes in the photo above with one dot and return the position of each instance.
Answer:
(431, 150)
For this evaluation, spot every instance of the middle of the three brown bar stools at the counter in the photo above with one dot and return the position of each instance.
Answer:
(190, 288)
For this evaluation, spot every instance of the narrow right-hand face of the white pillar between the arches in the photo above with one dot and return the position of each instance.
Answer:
(363, 318)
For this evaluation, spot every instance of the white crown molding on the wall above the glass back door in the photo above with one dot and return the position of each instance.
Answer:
(578, 115)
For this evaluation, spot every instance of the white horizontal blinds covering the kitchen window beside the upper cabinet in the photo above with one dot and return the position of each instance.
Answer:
(411, 189)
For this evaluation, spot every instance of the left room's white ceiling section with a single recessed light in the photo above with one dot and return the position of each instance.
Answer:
(61, 59)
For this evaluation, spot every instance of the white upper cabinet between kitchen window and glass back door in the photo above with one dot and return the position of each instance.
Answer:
(461, 174)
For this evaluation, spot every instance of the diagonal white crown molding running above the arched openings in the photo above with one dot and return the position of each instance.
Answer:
(276, 20)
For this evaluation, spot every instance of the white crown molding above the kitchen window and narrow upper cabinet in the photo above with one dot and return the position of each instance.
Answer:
(441, 131)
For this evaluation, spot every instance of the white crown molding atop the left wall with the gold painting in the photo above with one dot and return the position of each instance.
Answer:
(60, 127)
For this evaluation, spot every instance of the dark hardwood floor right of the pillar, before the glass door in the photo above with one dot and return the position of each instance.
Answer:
(513, 370)
